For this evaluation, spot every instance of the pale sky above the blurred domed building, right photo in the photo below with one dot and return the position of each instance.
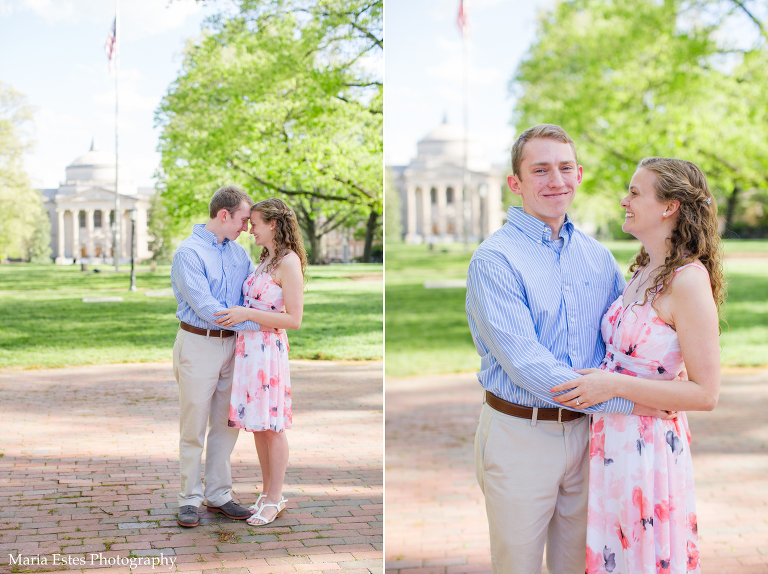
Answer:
(423, 71)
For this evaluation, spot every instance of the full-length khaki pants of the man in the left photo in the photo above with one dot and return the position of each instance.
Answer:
(203, 369)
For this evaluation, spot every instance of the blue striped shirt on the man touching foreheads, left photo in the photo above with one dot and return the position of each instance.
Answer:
(208, 276)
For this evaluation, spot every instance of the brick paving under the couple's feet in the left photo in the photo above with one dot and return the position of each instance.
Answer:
(90, 465)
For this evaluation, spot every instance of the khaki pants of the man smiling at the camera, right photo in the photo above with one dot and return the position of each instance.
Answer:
(535, 481)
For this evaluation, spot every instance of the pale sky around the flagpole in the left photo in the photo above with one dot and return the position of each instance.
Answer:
(52, 51)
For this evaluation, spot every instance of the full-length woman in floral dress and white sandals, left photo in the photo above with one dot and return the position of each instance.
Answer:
(261, 385)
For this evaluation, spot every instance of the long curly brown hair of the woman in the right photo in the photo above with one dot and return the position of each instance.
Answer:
(695, 235)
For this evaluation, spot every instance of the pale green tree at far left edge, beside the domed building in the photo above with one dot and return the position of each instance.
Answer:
(24, 225)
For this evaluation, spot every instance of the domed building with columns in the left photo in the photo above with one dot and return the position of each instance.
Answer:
(82, 211)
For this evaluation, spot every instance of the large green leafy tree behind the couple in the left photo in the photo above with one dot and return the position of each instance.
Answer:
(281, 98)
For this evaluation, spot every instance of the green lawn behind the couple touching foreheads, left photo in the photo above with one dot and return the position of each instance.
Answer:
(46, 324)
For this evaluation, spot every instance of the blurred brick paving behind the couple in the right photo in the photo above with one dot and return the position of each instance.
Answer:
(435, 513)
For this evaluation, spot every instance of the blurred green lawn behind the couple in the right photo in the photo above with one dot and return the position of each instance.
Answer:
(427, 333)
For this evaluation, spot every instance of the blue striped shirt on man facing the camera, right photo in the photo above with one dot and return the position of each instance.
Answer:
(534, 309)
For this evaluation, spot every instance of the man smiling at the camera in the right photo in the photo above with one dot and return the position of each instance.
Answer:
(537, 290)
